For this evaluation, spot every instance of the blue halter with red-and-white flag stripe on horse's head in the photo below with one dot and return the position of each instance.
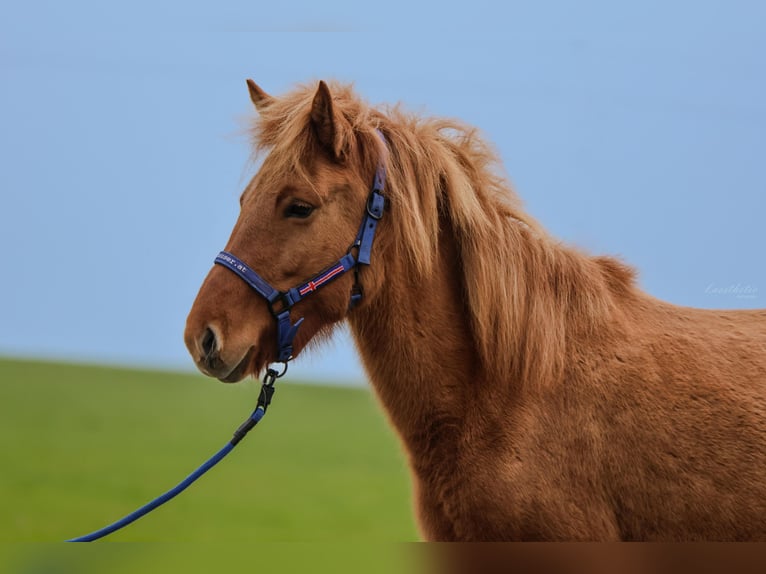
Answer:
(281, 302)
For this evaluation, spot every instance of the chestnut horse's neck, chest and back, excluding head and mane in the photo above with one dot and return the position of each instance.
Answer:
(646, 435)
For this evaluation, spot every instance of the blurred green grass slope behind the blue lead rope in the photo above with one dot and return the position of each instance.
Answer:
(83, 446)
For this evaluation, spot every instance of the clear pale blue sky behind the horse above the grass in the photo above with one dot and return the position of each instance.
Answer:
(636, 129)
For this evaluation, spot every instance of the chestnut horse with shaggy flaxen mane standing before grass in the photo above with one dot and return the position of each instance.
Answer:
(538, 392)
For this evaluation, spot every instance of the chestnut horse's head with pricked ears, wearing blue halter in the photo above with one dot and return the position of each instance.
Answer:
(300, 213)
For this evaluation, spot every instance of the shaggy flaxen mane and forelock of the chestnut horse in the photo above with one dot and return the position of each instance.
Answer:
(527, 294)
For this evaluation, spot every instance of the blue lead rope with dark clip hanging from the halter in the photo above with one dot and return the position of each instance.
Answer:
(267, 391)
